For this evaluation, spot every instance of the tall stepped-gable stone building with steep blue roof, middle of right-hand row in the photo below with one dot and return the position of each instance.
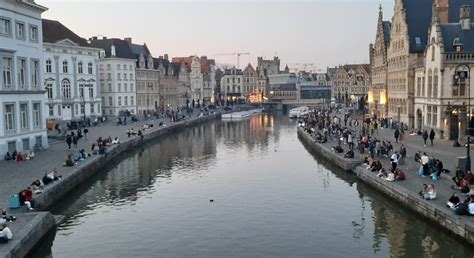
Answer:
(408, 39)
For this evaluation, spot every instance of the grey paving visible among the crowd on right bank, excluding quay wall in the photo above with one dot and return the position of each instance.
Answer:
(442, 149)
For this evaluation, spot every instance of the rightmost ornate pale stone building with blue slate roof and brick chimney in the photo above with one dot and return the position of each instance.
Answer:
(443, 80)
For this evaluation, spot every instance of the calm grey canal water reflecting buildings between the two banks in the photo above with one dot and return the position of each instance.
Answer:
(237, 189)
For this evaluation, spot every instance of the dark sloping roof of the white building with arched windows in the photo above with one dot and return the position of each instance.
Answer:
(54, 31)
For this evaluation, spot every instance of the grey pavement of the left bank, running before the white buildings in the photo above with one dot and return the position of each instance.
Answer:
(16, 176)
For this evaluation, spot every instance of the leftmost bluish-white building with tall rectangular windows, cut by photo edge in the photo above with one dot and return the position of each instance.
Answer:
(22, 96)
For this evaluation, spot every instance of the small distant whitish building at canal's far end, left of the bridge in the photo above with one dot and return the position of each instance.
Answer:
(232, 84)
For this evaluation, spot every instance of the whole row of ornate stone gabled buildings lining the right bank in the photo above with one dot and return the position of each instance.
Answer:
(422, 64)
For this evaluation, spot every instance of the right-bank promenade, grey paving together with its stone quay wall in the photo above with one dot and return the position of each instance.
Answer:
(407, 191)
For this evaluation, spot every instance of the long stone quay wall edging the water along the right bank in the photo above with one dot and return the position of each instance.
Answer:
(456, 225)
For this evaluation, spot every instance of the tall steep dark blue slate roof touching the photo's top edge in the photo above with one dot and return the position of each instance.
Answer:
(418, 17)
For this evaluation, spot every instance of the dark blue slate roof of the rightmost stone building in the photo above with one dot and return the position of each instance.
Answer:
(452, 31)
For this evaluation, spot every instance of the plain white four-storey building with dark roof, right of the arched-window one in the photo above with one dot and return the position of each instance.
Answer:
(117, 77)
